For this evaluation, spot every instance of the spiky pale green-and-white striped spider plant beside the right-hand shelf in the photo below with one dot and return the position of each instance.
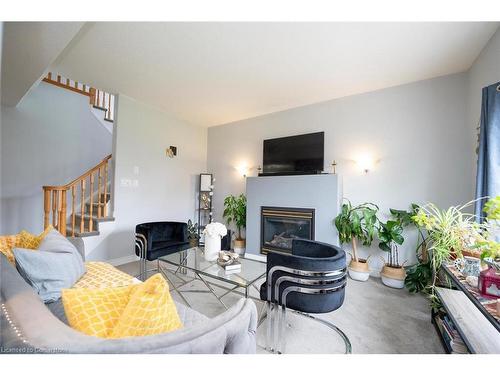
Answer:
(450, 233)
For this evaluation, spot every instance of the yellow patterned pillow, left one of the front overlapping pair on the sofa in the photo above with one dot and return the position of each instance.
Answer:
(95, 312)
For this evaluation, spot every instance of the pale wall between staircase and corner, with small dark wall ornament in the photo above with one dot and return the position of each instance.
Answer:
(166, 187)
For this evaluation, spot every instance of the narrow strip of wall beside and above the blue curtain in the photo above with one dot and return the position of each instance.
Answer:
(484, 72)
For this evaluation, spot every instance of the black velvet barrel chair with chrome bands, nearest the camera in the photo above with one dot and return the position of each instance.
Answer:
(310, 280)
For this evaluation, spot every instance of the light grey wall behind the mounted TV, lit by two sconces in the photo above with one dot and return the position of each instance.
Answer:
(417, 131)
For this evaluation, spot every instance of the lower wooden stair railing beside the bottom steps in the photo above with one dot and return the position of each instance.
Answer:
(82, 190)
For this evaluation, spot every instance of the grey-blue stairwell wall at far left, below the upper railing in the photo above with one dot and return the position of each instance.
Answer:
(50, 138)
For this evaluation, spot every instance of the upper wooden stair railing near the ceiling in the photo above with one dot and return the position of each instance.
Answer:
(97, 98)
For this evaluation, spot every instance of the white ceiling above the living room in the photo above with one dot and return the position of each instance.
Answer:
(214, 73)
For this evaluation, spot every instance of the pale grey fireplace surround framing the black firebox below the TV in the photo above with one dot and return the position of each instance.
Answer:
(319, 192)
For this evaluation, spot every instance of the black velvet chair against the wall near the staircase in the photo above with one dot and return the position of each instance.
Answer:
(157, 239)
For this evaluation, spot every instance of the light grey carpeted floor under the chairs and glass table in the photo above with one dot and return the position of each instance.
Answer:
(377, 319)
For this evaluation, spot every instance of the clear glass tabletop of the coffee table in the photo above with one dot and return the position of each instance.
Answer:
(194, 260)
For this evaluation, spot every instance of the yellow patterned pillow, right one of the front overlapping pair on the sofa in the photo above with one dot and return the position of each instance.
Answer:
(150, 311)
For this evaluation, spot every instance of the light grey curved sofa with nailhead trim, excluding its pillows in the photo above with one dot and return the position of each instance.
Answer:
(27, 325)
